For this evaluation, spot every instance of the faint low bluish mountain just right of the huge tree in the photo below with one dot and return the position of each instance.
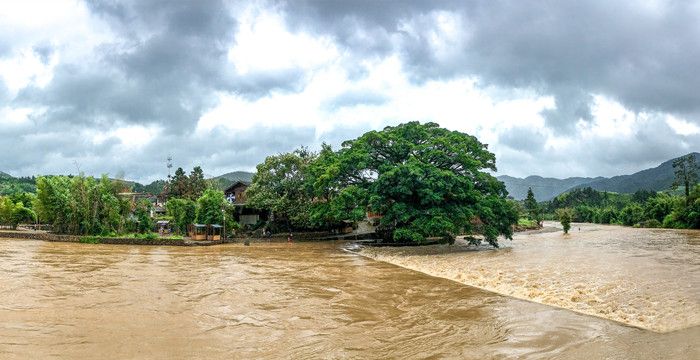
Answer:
(543, 188)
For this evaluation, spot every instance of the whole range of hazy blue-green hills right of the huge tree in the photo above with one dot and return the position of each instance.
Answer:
(657, 179)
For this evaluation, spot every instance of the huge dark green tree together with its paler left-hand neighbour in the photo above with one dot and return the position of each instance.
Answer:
(426, 181)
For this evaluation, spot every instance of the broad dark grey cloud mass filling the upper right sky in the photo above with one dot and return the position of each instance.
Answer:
(643, 57)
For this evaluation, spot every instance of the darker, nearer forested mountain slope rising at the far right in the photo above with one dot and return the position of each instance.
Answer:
(657, 179)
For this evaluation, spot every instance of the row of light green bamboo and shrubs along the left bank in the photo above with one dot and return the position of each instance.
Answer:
(83, 205)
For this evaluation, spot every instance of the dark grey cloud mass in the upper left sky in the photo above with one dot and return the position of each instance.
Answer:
(166, 76)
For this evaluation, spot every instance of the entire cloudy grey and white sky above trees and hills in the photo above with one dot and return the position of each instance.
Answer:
(556, 88)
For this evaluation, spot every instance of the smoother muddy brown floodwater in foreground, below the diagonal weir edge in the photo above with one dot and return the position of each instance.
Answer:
(305, 300)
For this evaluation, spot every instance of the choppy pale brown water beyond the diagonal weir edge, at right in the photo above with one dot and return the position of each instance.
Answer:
(645, 278)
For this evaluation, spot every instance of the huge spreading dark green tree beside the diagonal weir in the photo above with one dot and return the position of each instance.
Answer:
(425, 180)
